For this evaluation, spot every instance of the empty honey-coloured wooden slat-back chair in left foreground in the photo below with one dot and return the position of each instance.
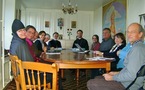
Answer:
(21, 70)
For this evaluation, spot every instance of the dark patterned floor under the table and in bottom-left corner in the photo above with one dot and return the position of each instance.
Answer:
(69, 84)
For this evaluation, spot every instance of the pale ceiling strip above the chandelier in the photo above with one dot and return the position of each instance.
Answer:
(84, 5)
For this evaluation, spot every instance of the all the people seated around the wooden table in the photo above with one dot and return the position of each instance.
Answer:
(29, 45)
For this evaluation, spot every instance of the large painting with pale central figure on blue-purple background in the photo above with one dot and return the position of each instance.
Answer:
(114, 16)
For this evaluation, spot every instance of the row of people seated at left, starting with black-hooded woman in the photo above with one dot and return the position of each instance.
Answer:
(24, 45)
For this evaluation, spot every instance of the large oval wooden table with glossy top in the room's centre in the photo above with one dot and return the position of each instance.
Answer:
(69, 60)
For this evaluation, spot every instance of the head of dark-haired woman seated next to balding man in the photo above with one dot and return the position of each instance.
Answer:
(119, 38)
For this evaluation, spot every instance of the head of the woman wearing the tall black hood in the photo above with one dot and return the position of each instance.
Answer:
(18, 29)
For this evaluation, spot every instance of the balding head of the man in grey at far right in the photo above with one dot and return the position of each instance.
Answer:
(135, 32)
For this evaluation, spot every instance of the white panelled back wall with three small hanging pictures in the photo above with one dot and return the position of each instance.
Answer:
(37, 18)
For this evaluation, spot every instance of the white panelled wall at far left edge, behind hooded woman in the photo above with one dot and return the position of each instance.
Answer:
(8, 17)
